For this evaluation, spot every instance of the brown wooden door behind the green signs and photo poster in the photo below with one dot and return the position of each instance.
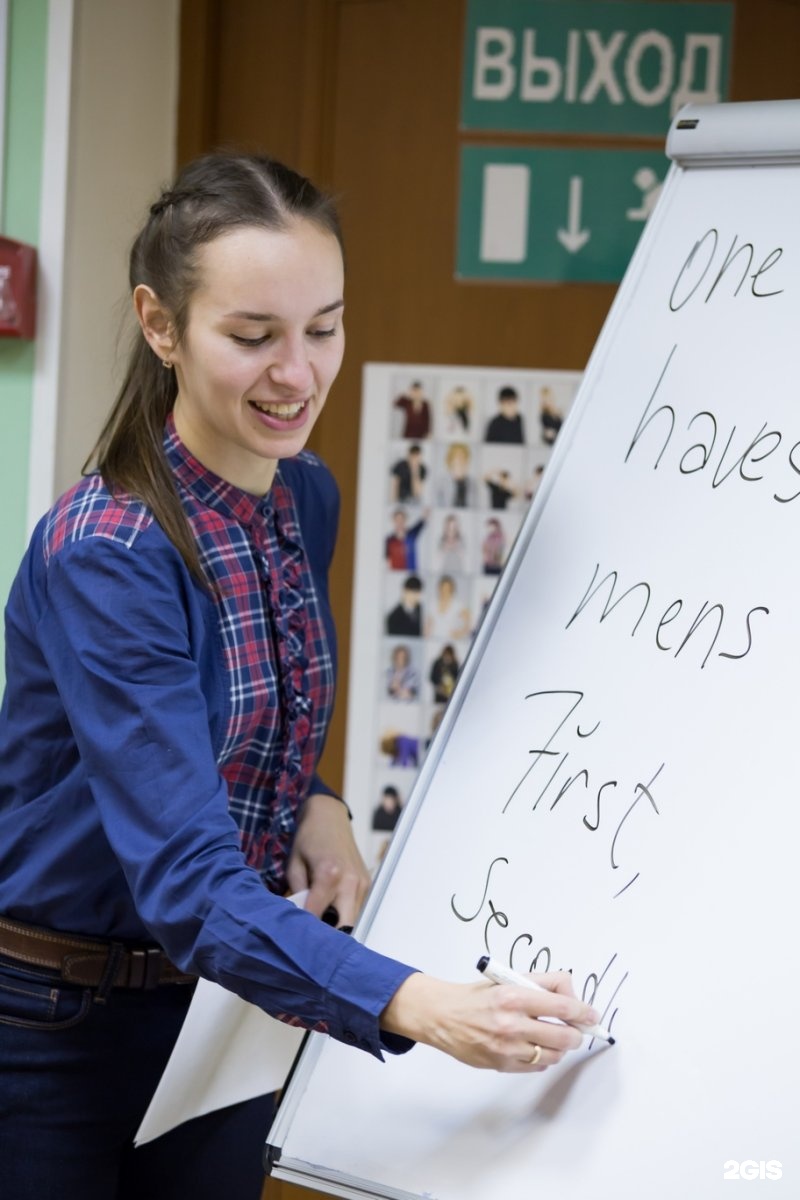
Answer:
(364, 97)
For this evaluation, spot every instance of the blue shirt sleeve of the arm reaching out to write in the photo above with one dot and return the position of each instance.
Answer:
(113, 627)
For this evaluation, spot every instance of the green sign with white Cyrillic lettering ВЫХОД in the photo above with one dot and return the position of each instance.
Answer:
(592, 67)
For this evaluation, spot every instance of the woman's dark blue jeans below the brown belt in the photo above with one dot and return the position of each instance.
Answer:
(76, 1078)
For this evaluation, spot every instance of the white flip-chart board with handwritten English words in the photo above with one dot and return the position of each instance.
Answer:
(615, 785)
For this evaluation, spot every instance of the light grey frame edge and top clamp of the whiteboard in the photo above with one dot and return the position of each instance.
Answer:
(736, 130)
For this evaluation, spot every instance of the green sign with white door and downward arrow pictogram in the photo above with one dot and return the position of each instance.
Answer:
(554, 215)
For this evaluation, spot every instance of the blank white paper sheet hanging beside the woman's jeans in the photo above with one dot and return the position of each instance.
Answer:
(228, 1051)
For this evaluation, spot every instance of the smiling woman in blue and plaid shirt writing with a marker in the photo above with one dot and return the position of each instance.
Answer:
(171, 667)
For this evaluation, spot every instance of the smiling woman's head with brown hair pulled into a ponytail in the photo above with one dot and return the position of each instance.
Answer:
(248, 254)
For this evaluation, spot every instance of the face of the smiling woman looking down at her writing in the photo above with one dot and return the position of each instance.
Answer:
(263, 345)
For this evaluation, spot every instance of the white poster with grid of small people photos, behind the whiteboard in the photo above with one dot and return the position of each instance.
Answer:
(450, 459)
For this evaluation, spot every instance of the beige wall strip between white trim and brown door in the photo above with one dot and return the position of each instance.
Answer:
(122, 151)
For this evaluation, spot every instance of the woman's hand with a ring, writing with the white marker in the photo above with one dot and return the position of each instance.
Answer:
(496, 1027)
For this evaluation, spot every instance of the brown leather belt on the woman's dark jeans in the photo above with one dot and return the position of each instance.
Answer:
(89, 962)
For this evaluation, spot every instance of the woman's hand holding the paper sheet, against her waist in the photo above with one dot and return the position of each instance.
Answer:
(327, 861)
